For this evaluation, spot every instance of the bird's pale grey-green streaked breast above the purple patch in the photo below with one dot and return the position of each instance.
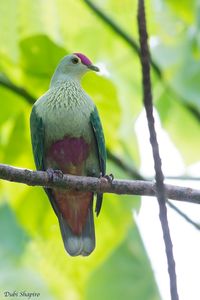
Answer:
(65, 111)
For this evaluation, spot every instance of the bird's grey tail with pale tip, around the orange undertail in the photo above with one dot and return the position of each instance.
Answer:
(82, 244)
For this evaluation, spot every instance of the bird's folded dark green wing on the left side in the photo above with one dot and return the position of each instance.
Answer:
(37, 138)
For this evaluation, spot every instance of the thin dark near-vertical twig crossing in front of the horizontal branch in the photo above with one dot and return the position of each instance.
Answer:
(160, 188)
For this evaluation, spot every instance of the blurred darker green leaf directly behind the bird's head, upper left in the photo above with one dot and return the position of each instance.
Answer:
(39, 57)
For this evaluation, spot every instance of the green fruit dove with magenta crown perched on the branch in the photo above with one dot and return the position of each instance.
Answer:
(67, 136)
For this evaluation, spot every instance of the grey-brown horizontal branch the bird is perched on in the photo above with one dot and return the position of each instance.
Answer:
(93, 184)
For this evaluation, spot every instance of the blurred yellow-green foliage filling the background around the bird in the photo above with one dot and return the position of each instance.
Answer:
(32, 255)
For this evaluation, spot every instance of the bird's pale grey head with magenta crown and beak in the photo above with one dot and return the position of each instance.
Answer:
(74, 66)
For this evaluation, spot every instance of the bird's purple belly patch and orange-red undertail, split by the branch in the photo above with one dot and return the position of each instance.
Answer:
(69, 155)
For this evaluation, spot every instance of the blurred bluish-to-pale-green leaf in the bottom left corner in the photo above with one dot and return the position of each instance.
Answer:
(14, 276)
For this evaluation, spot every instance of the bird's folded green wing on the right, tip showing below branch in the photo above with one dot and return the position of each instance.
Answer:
(100, 141)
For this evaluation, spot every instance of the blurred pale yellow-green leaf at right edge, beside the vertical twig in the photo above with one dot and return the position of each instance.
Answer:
(181, 125)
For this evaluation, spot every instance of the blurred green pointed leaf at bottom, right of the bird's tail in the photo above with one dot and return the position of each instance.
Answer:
(125, 272)
